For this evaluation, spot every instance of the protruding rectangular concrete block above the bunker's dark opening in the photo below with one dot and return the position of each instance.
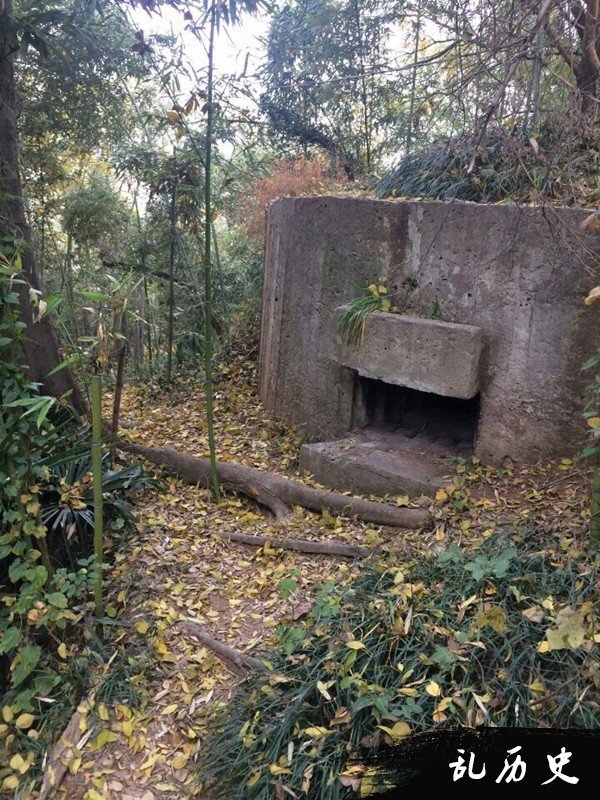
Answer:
(423, 354)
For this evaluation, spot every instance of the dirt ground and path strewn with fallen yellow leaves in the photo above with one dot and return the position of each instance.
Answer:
(147, 724)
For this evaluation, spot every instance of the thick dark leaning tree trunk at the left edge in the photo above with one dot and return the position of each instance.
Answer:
(40, 344)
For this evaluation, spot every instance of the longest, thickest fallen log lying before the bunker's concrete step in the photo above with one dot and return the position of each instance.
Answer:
(275, 492)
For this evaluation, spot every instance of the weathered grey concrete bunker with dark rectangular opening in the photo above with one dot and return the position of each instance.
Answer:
(498, 373)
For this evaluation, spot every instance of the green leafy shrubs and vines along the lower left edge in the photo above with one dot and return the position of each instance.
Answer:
(46, 572)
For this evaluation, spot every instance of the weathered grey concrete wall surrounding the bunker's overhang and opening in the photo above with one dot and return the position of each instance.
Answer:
(519, 273)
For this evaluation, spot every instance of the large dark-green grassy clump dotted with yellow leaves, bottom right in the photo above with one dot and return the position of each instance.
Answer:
(499, 634)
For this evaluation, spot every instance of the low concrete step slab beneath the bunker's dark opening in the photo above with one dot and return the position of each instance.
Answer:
(379, 462)
